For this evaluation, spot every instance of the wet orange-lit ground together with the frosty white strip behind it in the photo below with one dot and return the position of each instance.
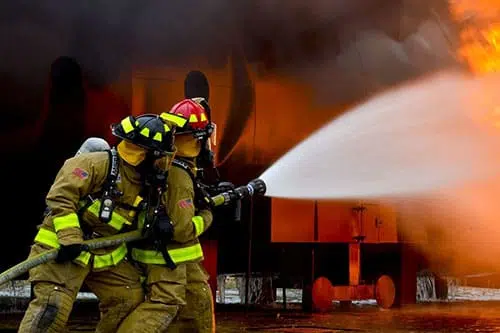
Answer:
(466, 309)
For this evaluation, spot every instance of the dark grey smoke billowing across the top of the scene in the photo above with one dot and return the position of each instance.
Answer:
(109, 38)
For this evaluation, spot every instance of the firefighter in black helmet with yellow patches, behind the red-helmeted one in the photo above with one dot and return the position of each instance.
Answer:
(78, 201)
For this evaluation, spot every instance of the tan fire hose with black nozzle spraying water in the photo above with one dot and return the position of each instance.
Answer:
(256, 186)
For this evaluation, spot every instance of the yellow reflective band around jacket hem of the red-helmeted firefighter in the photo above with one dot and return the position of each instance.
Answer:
(193, 252)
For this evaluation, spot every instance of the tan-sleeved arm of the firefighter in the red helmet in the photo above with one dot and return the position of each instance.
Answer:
(180, 207)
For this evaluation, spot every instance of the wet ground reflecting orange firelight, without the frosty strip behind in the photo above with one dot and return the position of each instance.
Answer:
(422, 318)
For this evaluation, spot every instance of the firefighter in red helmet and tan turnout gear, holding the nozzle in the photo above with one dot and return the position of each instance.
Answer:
(167, 284)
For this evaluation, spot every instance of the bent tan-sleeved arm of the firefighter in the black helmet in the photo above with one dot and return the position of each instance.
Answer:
(73, 182)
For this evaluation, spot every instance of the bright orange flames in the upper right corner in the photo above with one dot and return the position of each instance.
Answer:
(480, 35)
